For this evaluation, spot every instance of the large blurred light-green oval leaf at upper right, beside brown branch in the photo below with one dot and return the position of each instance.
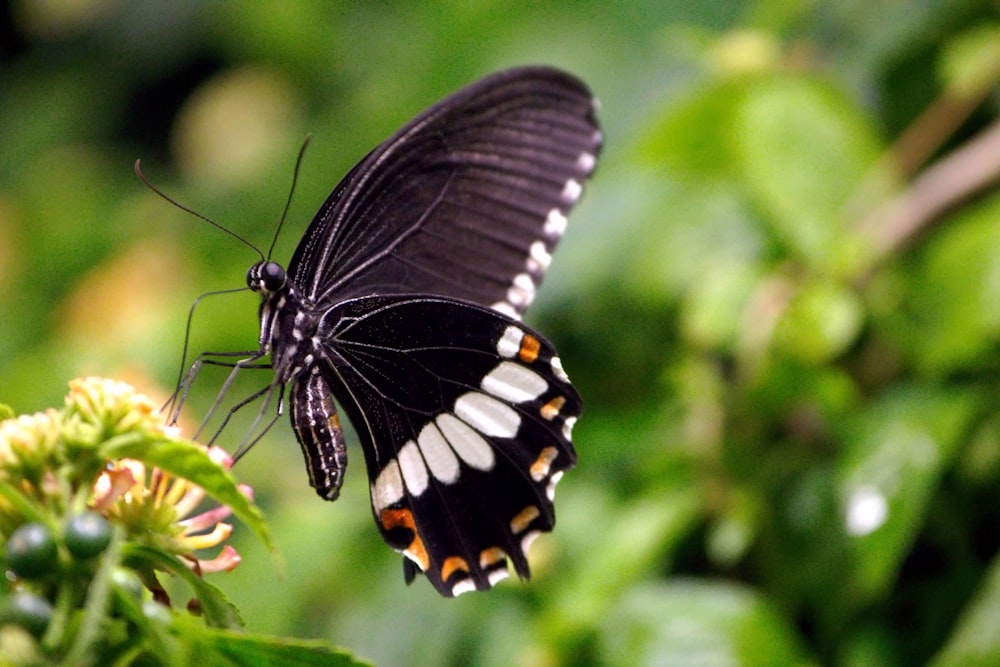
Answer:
(802, 150)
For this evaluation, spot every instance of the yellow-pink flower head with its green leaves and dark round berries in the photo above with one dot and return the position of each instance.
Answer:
(98, 500)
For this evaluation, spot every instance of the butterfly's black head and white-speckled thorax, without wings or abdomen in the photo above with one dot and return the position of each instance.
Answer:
(288, 326)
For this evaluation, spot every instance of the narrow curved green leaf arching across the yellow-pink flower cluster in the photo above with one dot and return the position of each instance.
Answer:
(191, 462)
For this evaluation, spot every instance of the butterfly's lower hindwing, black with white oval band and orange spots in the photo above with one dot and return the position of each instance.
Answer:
(465, 416)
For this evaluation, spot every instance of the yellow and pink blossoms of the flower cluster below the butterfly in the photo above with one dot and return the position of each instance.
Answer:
(59, 460)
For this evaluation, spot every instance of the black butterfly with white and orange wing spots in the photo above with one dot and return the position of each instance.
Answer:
(402, 301)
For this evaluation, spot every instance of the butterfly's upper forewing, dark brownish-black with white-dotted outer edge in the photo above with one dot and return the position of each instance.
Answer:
(467, 200)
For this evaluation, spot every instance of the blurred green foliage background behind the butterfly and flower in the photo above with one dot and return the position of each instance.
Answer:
(779, 298)
